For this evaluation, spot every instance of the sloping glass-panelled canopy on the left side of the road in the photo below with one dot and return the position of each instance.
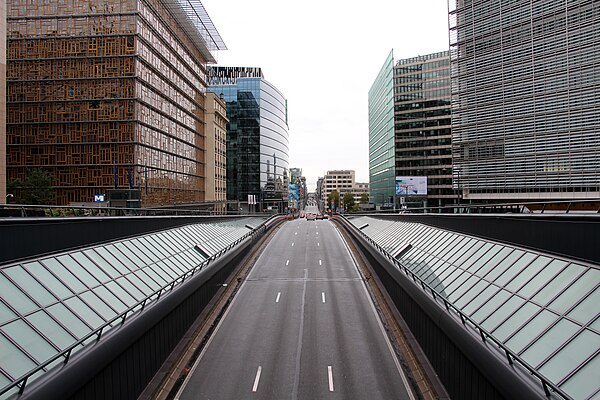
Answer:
(54, 306)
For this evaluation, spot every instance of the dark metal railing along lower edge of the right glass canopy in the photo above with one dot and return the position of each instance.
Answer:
(485, 336)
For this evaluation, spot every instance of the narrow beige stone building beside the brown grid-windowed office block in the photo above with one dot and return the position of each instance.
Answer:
(216, 148)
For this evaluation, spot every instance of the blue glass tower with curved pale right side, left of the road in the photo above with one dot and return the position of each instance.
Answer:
(257, 135)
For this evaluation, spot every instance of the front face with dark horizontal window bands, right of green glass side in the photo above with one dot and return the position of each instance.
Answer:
(422, 125)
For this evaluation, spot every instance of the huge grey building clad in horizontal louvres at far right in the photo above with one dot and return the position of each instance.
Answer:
(525, 89)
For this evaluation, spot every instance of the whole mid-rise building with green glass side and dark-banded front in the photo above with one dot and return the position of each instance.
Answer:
(410, 129)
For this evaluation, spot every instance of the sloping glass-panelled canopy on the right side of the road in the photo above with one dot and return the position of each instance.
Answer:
(543, 308)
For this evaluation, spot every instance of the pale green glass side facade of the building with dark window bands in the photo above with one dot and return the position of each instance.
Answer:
(381, 136)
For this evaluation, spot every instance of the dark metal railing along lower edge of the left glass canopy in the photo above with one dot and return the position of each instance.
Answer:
(138, 307)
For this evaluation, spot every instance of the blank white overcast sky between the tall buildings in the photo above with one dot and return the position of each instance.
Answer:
(324, 56)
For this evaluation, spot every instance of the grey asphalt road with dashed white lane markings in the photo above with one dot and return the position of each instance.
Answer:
(302, 326)
